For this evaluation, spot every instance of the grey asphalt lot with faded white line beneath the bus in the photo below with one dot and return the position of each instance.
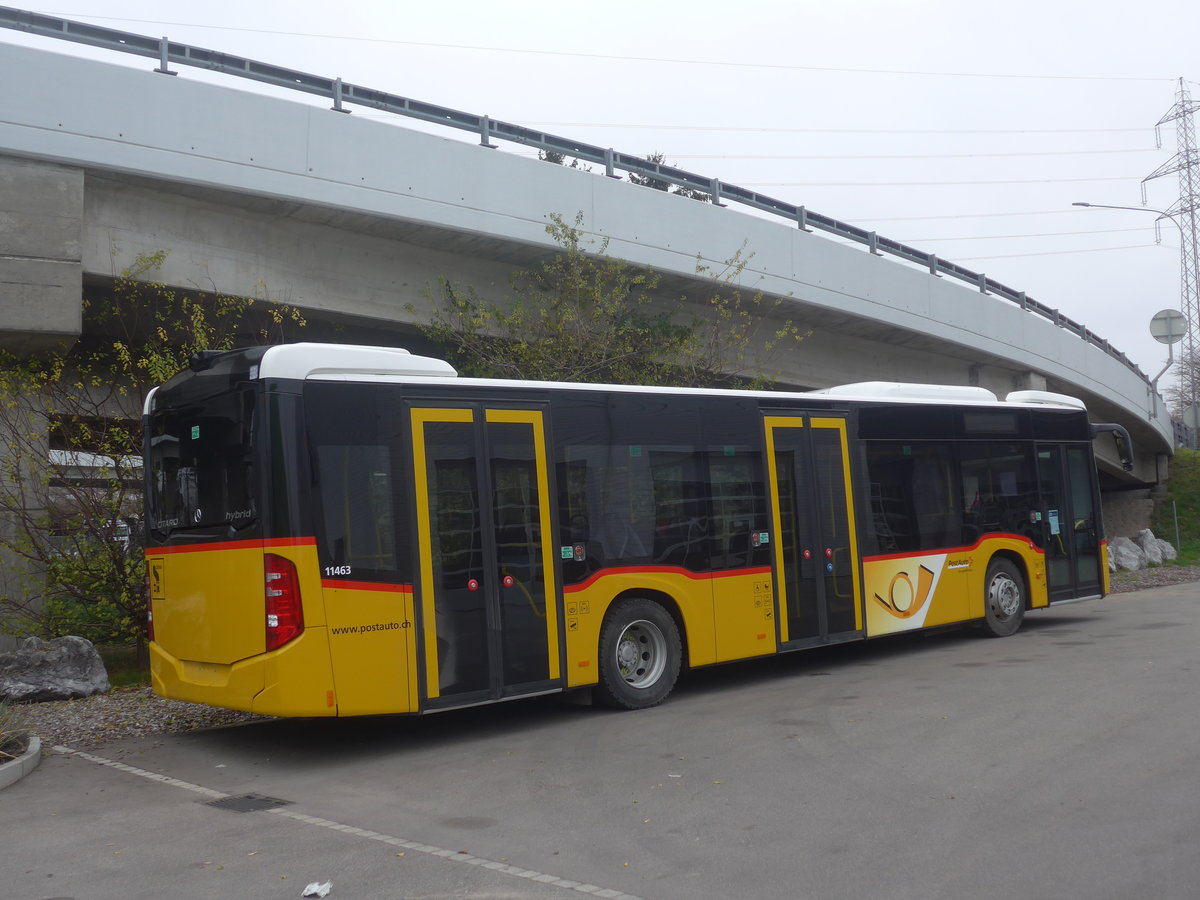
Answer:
(1061, 763)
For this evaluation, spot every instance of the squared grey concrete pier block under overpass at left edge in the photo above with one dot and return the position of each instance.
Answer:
(41, 269)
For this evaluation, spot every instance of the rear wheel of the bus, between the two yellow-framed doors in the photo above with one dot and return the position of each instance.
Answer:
(640, 655)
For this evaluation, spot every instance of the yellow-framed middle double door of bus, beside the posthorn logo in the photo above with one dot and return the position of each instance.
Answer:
(817, 549)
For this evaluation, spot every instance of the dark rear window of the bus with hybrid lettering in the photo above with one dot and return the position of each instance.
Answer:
(200, 460)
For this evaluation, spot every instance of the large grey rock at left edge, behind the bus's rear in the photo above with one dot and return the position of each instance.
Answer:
(63, 669)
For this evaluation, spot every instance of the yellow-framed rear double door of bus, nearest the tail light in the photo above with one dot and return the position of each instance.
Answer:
(487, 577)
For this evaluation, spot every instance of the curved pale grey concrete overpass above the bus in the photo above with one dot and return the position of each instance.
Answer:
(353, 219)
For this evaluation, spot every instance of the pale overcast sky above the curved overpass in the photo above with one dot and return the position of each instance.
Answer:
(964, 129)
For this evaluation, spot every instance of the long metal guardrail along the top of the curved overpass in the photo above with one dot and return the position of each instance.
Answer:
(341, 93)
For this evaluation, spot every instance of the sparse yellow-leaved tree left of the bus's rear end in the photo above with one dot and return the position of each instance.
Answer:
(71, 445)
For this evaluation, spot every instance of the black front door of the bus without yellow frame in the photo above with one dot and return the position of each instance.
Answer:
(1071, 529)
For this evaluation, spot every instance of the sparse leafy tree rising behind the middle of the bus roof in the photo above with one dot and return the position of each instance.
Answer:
(584, 316)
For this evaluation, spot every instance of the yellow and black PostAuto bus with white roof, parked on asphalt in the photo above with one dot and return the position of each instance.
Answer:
(353, 531)
